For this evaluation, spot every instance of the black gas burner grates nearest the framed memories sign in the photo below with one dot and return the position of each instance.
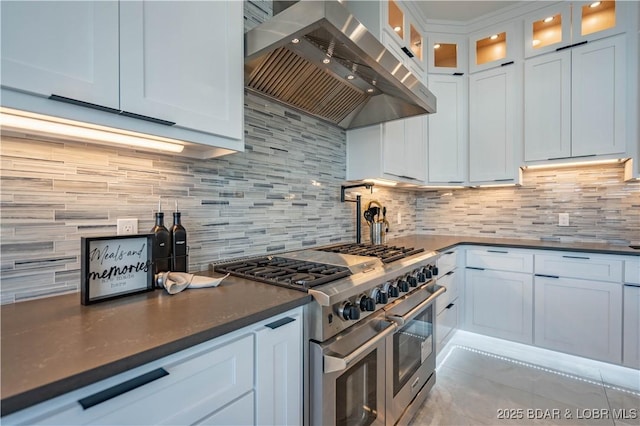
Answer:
(292, 273)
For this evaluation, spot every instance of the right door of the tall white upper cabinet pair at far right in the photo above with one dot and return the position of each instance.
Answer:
(598, 76)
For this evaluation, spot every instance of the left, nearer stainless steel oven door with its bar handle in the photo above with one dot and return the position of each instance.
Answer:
(347, 376)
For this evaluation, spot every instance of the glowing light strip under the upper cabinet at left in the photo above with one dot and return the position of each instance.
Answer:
(43, 125)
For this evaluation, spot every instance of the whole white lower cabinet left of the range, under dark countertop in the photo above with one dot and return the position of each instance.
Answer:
(234, 379)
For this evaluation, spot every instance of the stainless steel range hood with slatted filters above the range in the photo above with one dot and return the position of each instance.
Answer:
(315, 56)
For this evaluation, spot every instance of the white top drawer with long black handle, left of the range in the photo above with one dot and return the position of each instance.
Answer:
(196, 386)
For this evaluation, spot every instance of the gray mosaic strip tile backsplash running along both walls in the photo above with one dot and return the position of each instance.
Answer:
(281, 194)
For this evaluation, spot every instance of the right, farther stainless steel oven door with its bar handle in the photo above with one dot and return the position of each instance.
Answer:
(411, 357)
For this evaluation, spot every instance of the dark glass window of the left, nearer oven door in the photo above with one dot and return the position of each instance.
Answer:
(356, 393)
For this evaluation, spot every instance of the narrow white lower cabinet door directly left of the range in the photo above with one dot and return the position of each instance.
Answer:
(279, 372)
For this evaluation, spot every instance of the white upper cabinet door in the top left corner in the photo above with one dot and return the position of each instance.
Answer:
(64, 48)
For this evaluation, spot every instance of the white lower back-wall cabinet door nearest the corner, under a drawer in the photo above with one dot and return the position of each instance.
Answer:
(499, 304)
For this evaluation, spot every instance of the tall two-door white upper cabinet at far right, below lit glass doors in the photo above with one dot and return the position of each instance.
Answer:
(575, 102)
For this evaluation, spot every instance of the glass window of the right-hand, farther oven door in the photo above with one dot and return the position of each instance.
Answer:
(412, 344)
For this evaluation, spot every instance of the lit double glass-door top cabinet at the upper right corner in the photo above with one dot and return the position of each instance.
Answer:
(566, 24)
